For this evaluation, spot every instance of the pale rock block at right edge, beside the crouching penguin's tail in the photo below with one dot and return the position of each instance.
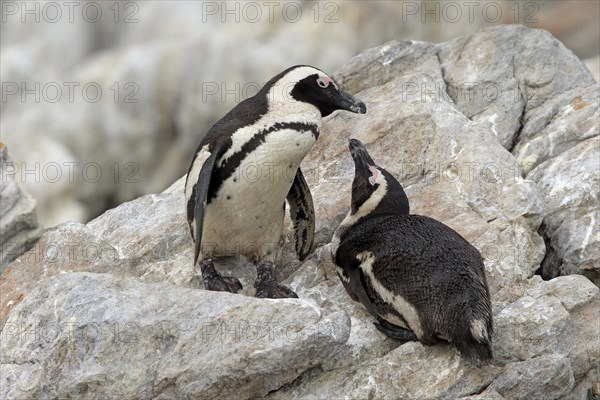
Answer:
(558, 316)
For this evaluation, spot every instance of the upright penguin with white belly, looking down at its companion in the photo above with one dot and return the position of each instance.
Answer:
(246, 167)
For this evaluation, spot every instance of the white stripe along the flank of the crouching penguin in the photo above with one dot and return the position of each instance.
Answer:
(404, 308)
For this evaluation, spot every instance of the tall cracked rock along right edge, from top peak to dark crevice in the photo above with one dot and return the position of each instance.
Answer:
(542, 103)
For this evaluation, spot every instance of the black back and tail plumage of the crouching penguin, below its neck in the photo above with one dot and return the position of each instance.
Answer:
(433, 268)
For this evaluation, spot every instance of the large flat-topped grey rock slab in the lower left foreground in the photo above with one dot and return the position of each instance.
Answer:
(84, 335)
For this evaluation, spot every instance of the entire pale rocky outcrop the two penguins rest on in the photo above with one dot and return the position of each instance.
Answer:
(494, 134)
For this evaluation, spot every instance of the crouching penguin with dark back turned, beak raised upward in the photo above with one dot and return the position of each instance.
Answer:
(418, 277)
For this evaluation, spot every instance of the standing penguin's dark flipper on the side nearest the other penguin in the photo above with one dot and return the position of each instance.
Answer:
(302, 213)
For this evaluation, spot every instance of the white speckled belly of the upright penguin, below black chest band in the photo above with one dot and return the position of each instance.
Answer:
(246, 217)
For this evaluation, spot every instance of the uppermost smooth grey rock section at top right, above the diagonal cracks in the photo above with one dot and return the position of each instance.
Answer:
(498, 76)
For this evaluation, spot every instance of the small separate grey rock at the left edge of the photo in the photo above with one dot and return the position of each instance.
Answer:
(18, 219)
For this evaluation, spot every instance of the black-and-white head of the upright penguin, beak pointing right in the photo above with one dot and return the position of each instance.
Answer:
(303, 83)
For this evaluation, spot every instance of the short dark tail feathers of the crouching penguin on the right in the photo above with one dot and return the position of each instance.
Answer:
(475, 344)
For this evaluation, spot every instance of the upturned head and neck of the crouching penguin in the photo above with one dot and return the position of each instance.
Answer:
(374, 190)
